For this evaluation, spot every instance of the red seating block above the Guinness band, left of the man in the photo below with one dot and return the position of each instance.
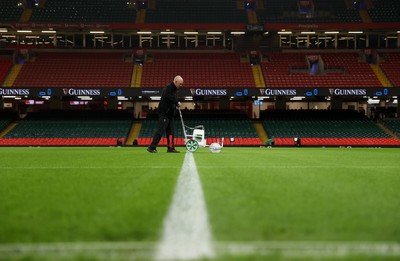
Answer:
(75, 70)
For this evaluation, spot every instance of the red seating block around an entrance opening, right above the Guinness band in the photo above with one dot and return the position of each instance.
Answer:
(277, 71)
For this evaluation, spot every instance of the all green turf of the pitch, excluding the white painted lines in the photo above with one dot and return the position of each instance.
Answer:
(51, 195)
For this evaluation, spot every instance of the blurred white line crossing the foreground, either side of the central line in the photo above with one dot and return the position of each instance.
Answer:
(145, 250)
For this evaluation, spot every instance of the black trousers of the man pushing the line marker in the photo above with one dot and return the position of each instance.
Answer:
(165, 125)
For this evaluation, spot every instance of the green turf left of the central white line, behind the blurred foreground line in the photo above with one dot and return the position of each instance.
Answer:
(83, 194)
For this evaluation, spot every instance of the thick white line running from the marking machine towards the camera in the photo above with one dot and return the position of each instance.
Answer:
(186, 233)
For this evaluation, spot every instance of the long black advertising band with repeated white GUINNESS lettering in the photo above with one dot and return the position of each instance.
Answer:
(201, 92)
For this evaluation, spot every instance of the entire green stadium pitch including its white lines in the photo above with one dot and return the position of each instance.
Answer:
(88, 203)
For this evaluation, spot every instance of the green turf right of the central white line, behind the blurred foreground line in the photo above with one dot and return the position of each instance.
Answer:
(303, 194)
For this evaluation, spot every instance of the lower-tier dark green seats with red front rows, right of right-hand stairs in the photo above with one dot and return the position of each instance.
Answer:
(325, 128)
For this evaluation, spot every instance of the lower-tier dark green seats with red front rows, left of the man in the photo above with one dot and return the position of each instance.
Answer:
(70, 128)
